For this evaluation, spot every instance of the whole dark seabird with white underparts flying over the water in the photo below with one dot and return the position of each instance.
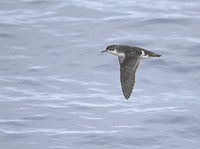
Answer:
(129, 58)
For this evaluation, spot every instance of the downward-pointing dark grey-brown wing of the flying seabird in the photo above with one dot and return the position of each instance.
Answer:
(128, 68)
